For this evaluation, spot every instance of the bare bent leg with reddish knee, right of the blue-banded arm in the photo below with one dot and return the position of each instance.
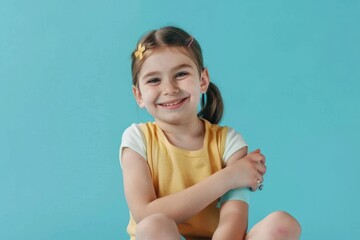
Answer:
(276, 226)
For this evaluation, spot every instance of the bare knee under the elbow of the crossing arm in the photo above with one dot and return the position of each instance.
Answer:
(157, 227)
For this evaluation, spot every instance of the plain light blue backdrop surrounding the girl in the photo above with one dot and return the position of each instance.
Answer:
(290, 77)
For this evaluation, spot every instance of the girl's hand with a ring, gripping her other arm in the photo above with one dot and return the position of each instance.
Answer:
(247, 171)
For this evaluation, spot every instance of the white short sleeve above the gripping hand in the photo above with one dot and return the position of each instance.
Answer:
(234, 142)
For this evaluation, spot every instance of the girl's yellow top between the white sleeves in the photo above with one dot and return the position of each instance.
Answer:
(174, 169)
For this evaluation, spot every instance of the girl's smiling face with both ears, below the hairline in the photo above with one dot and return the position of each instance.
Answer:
(170, 85)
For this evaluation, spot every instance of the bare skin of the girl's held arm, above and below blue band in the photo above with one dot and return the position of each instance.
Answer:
(233, 214)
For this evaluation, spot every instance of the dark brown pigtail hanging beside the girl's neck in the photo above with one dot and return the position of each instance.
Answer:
(212, 108)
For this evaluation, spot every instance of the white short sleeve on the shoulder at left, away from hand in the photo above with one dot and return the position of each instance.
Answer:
(133, 138)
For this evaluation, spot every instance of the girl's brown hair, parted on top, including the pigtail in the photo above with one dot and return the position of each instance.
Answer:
(212, 106)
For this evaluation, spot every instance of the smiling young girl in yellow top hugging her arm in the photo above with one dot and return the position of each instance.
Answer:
(185, 177)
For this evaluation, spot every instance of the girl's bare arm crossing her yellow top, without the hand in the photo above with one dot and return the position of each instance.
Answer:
(142, 200)
